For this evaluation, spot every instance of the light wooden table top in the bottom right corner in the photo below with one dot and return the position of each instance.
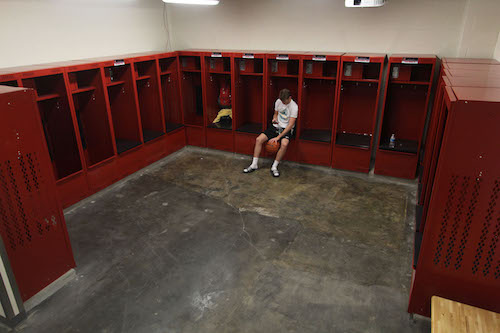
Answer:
(450, 316)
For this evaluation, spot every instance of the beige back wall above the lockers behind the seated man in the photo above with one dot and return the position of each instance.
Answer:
(422, 26)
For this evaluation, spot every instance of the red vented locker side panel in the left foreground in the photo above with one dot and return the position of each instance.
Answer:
(32, 223)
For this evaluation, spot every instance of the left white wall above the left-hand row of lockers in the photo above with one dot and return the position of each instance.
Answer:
(38, 31)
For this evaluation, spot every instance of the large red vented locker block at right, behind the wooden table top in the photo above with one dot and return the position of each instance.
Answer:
(460, 255)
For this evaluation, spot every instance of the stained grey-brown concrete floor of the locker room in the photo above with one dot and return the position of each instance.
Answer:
(191, 244)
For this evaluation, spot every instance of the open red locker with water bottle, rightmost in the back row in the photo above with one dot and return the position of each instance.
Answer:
(406, 101)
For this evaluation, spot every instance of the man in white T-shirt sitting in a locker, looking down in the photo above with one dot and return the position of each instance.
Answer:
(282, 130)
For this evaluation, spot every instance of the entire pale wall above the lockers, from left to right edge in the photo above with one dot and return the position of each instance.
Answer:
(38, 31)
